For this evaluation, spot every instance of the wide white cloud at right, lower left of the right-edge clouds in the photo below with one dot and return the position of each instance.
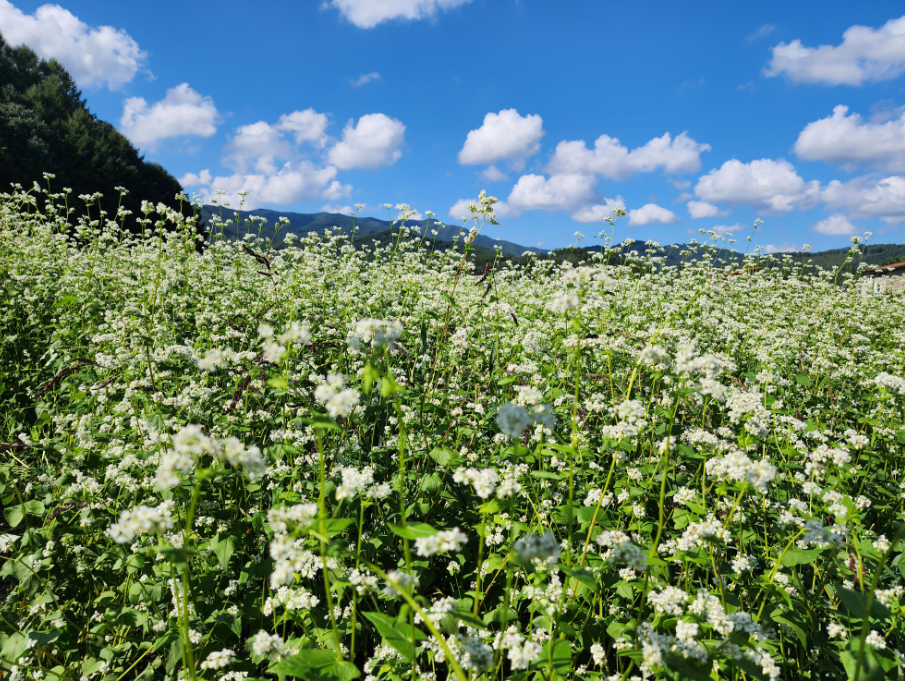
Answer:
(767, 185)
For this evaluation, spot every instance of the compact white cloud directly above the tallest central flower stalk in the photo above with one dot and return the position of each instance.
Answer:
(503, 136)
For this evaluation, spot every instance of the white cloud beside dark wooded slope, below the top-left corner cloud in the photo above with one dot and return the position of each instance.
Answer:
(182, 112)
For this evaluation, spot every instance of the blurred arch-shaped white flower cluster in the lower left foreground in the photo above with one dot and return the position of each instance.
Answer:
(191, 442)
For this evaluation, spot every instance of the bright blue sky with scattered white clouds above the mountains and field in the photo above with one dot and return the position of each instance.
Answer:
(723, 112)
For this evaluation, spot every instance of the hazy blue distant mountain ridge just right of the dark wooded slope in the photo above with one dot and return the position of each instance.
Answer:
(301, 224)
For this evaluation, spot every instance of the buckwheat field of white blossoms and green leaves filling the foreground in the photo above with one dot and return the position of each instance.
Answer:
(227, 460)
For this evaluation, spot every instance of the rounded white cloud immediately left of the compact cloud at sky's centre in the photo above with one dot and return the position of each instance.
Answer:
(373, 142)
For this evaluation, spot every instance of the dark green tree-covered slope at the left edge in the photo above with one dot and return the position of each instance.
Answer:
(45, 127)
